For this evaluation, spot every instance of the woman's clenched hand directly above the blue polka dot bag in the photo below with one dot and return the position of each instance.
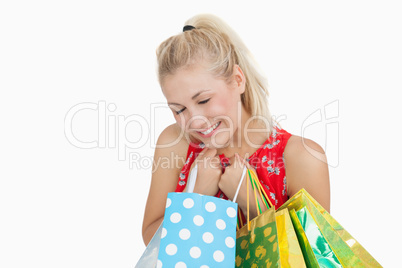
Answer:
(209, 172)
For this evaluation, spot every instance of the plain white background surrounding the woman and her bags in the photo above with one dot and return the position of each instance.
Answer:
(64, 206)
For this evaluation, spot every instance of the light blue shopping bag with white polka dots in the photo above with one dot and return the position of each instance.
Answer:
(198, 231)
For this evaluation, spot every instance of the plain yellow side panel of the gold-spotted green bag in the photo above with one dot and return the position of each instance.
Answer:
(289, 248)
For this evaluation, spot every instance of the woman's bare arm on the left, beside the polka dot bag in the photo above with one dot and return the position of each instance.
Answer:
(167, 165)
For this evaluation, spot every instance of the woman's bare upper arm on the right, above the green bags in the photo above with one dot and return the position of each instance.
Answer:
(306, 167)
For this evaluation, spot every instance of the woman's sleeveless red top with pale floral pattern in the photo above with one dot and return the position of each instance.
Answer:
(268, 162)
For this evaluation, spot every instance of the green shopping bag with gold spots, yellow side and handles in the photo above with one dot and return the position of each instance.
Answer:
(269, 240)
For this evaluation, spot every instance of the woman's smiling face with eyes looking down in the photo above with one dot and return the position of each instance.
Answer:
(204, 106)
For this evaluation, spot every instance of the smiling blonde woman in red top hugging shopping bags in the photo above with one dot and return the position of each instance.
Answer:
(219, 101)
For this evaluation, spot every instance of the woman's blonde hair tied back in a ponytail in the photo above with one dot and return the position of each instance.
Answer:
(215, 41)
